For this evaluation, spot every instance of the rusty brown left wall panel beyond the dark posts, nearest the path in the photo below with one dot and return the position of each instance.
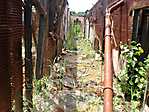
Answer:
(54, 41)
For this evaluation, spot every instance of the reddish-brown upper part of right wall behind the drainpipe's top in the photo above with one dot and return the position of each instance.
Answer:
(121, 18)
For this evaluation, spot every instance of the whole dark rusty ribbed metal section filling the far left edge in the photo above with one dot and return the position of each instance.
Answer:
(10, 50)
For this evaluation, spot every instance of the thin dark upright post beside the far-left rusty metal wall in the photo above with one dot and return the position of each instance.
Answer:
(28, 53)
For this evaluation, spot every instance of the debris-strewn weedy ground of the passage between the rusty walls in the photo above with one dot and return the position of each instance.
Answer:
(75, 80)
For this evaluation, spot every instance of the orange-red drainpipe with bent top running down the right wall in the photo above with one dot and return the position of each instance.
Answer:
(108, 71)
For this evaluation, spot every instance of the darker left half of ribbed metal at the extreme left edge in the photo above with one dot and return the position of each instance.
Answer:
(5, 92)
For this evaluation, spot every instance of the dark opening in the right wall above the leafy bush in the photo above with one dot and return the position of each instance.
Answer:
(141, 28)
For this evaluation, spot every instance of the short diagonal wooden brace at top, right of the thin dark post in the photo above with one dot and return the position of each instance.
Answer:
(39, 7)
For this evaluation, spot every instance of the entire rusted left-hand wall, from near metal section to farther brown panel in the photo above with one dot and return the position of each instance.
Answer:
(11, 30)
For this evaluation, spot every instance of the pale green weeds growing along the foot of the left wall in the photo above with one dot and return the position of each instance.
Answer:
(46, 88)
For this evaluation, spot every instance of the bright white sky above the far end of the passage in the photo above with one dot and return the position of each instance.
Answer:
(81, 5)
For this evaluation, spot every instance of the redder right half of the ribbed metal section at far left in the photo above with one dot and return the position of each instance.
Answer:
(15, 22)
